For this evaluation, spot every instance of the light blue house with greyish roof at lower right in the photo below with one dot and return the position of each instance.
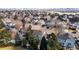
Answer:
(66, 41)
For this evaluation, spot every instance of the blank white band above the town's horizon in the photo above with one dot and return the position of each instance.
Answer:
(39, 3)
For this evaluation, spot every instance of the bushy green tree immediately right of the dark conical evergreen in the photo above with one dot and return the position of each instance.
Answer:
(53, 43)
